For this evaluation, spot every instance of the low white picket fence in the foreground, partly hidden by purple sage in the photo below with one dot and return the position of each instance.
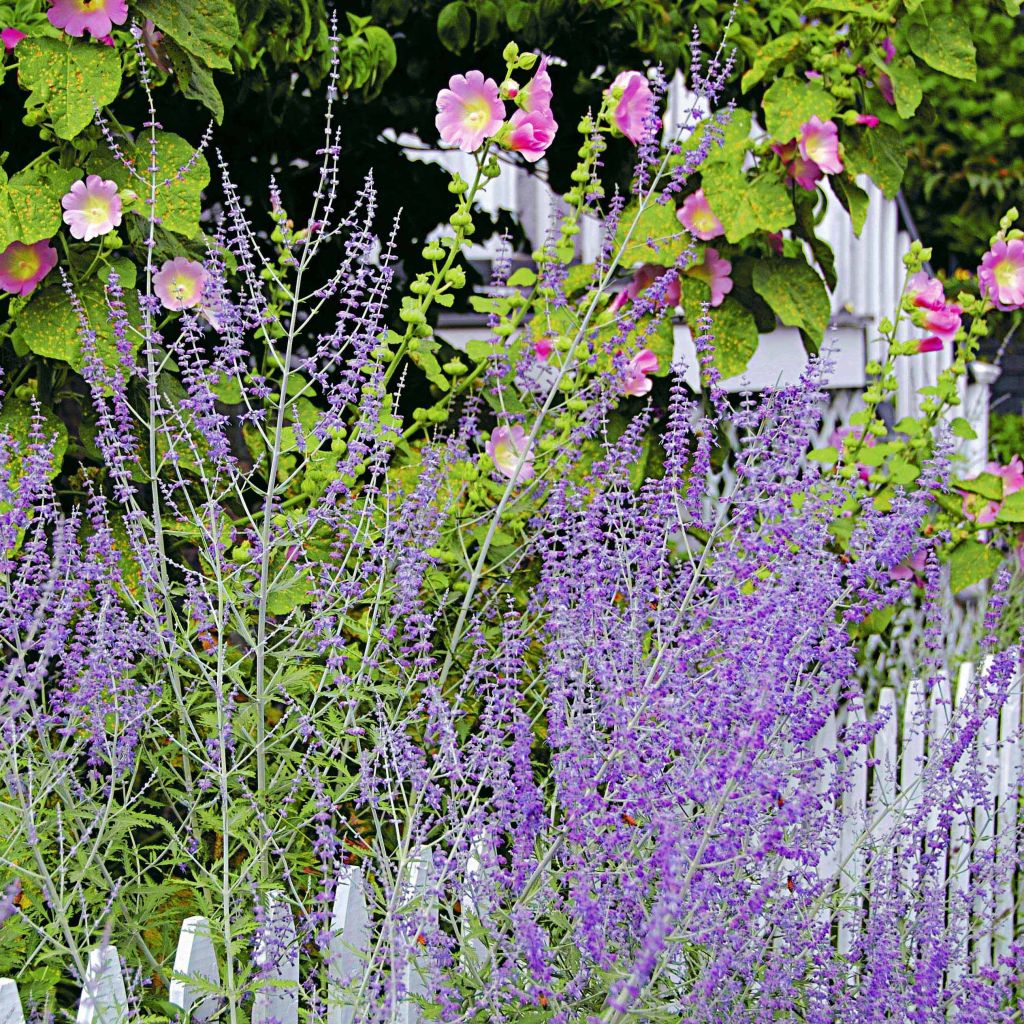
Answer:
(885, 782)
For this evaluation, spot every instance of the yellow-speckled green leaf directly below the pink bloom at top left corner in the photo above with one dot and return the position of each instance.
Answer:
(69, 79)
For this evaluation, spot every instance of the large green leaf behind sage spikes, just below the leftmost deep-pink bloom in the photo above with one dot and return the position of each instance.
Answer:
(50, 327)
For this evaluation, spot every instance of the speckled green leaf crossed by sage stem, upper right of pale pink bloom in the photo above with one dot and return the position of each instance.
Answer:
(179, 201)
